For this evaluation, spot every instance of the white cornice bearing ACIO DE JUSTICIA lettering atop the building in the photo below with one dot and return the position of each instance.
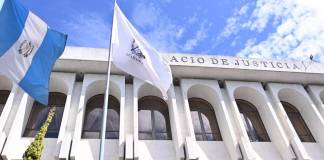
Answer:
(94, 60)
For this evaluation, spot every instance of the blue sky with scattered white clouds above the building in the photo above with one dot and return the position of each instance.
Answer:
(277, 29)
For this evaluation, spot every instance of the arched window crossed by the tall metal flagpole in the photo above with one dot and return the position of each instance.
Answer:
(93, 117)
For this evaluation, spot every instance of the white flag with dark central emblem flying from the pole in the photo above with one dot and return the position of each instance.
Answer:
(132, 54)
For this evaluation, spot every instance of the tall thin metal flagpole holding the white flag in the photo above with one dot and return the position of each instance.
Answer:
(105, 106)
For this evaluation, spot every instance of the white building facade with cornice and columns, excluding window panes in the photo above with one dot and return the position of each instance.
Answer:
(80, 74)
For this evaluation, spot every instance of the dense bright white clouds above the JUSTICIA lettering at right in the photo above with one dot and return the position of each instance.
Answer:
(299, 29)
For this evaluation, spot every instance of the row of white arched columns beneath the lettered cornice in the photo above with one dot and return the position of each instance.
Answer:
(284, 144)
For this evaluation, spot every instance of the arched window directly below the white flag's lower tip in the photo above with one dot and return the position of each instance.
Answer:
(153, 119)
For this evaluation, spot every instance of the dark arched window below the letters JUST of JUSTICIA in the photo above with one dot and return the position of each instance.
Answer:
(252, 122)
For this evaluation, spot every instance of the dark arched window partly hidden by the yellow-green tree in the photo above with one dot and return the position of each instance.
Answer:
(39, 114)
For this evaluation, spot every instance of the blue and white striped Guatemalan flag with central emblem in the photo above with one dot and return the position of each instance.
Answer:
(28, 49)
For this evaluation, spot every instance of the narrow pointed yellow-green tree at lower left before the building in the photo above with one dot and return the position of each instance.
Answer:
(34, 150)
